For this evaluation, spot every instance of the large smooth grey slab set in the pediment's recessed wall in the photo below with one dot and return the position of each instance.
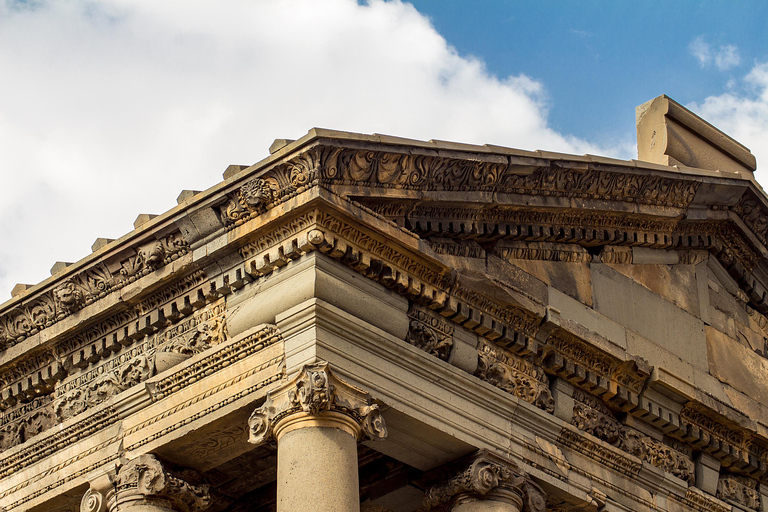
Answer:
(646, 313)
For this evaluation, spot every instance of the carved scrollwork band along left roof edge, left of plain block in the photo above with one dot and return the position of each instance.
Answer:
(45, 308)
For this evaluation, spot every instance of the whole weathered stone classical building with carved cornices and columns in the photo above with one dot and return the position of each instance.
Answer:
(364, 322)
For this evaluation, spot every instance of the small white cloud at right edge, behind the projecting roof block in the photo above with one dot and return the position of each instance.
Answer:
(743, 113)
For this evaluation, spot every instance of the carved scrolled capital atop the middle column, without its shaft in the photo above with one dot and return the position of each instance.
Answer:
(316, 393)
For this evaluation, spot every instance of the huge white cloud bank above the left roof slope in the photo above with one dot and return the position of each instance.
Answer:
(109, 108)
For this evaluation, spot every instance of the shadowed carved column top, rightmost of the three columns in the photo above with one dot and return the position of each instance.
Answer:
(488, 483)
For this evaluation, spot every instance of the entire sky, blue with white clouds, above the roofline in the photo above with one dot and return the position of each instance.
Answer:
(109, 108)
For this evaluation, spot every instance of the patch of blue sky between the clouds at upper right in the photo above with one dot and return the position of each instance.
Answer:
(598, 59)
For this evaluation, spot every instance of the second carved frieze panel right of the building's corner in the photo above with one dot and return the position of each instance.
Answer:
(514, 375)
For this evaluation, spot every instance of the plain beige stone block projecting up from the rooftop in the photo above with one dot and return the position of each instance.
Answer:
(670, 134)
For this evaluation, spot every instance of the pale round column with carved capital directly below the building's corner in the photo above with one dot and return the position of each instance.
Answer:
(317, 421)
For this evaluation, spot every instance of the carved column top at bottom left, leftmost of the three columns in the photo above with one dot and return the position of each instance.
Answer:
(144, 485)
